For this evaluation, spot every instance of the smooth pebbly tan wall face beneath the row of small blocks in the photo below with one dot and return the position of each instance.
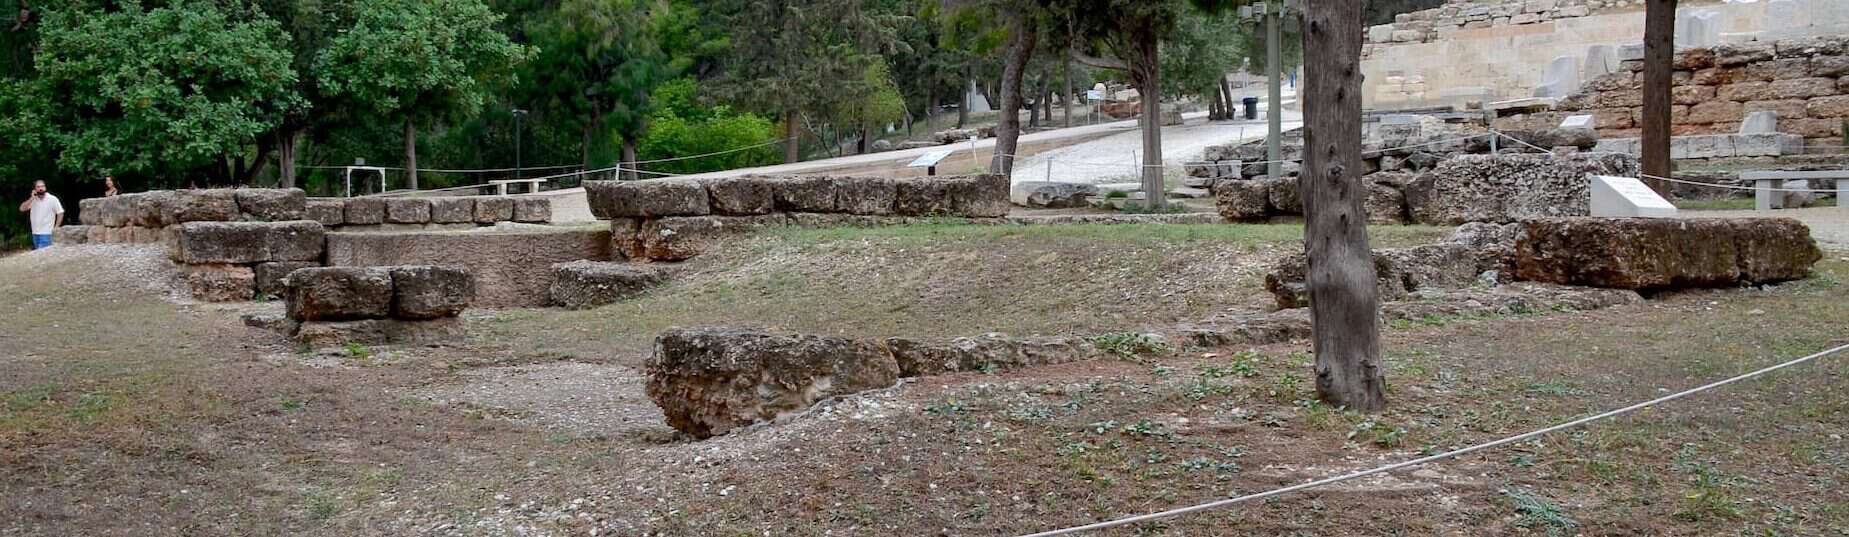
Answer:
(511, 269)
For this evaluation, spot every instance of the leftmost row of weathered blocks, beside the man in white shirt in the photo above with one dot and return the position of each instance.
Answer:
(171, 208)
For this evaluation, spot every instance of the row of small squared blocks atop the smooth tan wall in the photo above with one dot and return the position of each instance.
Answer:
(454, 210)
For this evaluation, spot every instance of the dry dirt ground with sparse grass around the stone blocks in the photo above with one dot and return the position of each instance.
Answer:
(127, 412)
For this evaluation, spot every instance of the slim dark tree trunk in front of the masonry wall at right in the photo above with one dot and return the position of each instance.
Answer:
(1659, 51)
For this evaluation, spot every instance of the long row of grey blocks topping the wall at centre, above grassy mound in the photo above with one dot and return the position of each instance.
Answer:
(979, 197)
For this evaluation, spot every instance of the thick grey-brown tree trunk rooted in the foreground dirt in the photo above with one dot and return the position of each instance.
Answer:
(1343, 295)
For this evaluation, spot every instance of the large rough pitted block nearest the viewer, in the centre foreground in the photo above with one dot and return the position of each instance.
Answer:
(715, 381)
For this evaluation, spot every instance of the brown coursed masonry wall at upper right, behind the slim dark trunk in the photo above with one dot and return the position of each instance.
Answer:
(1804, 81)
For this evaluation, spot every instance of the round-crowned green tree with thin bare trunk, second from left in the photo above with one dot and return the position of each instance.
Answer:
(419, 62)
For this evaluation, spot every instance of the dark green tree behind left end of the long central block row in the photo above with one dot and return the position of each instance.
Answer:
(598, 64)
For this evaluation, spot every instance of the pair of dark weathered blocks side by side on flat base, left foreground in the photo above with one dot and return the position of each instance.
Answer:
(376, 305)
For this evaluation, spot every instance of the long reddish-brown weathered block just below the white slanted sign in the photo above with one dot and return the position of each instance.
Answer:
(1665, 255)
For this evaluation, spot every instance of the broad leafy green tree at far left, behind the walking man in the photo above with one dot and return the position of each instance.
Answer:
(164, 92)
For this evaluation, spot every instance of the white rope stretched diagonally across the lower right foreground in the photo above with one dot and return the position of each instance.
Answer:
(1434, 458)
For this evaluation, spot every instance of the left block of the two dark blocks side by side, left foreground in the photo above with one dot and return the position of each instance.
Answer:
(339, 293)
